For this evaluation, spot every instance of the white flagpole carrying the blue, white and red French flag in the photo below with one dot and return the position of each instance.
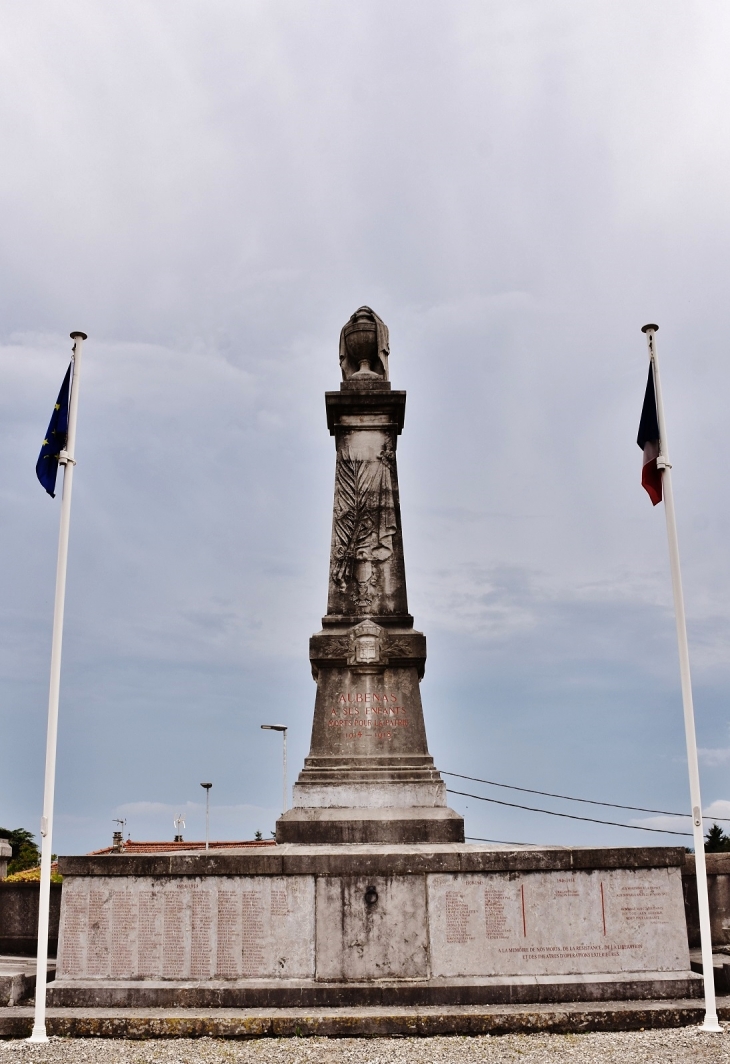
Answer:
(693, 766)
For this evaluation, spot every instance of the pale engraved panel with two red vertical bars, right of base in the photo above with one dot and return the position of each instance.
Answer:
(608, 921)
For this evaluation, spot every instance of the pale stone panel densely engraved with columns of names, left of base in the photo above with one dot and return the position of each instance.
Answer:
(188, 928)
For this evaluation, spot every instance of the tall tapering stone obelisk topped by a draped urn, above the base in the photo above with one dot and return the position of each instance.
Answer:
(369, 777)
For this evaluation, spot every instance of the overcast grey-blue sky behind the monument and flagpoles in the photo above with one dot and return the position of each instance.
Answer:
(210, 191)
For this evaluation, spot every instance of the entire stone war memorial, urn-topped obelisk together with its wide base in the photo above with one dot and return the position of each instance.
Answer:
(371, 896)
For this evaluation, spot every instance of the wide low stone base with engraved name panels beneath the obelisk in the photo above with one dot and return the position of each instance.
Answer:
(373, 925)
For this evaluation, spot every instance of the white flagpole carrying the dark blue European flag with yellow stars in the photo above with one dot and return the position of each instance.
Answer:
(65, 459)
